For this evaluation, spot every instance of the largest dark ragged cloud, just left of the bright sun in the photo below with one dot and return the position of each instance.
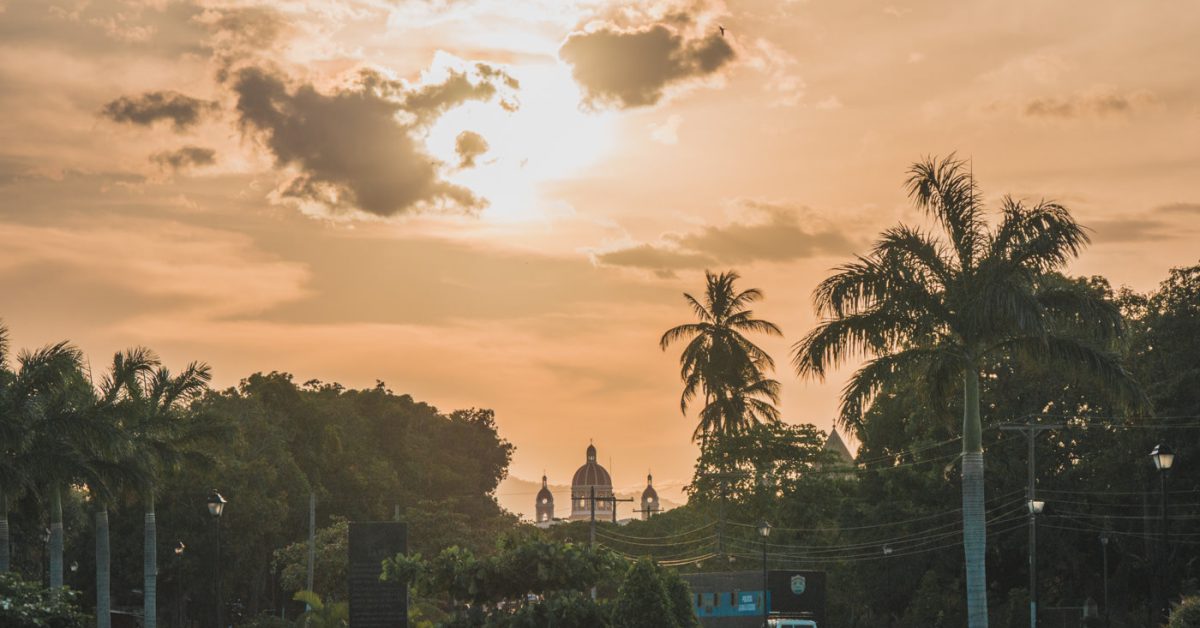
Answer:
(355, 146)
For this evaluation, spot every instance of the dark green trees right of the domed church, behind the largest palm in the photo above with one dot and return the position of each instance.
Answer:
(889, 529)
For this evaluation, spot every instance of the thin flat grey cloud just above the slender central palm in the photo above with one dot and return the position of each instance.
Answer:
(775, 234)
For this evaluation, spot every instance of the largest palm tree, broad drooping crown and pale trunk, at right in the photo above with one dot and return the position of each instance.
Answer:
(935, 309)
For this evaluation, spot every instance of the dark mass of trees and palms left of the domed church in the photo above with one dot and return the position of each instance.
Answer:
(145, 440)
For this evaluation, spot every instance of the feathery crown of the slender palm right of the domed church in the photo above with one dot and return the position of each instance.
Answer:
(721, 363)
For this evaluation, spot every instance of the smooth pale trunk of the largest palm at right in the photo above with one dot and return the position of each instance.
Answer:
(975, 527)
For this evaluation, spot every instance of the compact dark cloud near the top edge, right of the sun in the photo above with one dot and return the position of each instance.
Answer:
(632, 69)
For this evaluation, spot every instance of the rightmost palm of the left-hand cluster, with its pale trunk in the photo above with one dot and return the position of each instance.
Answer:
(151, 406)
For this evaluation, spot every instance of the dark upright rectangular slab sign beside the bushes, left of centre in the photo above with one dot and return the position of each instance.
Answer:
(374, 603)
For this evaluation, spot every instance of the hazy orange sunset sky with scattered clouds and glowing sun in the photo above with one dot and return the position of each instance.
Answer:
(501, 205)
